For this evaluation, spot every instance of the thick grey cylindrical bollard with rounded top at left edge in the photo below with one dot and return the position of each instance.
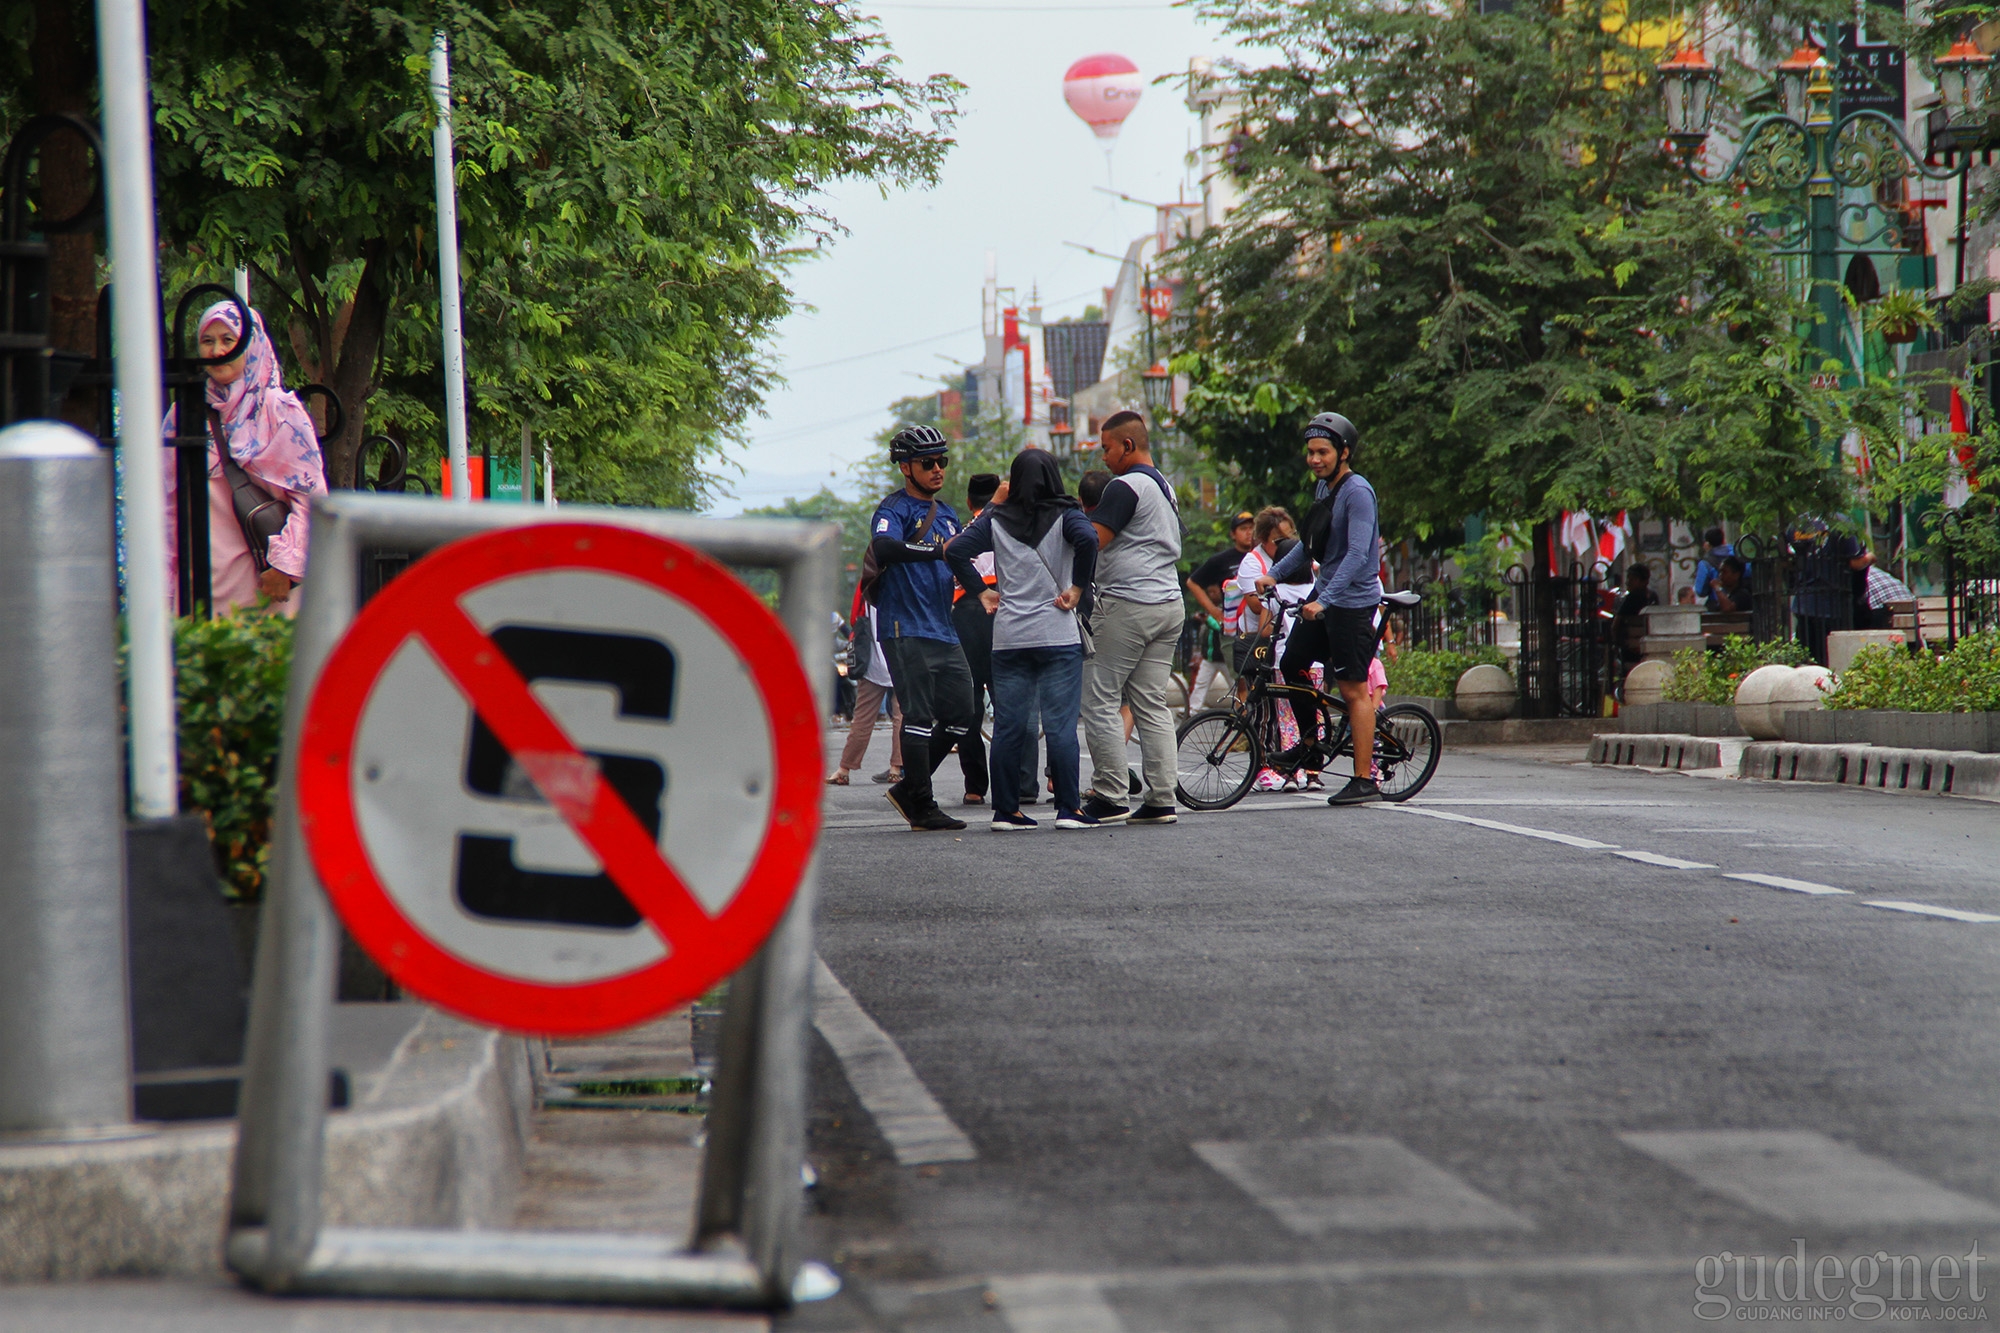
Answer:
(65, 1028)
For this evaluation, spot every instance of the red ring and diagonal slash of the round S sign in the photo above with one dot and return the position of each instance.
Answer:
(425, 605)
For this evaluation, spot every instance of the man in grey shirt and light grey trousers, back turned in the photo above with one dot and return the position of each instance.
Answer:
(1137, 627)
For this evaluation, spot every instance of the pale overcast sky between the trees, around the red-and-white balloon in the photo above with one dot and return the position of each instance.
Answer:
(1019, 183)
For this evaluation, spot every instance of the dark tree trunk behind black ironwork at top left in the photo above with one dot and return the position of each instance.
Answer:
(63, 83)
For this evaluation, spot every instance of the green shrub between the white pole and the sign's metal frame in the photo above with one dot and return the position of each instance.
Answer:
(229, 684)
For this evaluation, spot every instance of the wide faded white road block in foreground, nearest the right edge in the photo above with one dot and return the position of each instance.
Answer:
(1805, 1178)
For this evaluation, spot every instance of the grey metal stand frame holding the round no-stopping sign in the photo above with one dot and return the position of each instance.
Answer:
(745, 1246)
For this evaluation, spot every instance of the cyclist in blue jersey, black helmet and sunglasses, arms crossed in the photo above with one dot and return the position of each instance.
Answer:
(913, 597)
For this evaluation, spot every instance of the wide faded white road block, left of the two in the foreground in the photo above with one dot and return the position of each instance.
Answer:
(1355, 1184)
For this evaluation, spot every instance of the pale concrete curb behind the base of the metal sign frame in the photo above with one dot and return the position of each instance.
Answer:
(435, 1142)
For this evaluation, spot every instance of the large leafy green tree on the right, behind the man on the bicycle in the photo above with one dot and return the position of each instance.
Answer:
(1461, 231)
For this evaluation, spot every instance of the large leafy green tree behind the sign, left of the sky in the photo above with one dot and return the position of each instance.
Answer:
(633, 183)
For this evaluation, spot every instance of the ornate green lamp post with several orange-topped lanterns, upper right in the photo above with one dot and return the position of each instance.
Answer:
(1813, 153)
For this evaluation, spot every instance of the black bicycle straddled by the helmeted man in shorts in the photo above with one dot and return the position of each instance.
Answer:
(1225, 750)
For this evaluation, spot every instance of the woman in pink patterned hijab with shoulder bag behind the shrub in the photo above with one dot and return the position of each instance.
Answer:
(273, 439)
